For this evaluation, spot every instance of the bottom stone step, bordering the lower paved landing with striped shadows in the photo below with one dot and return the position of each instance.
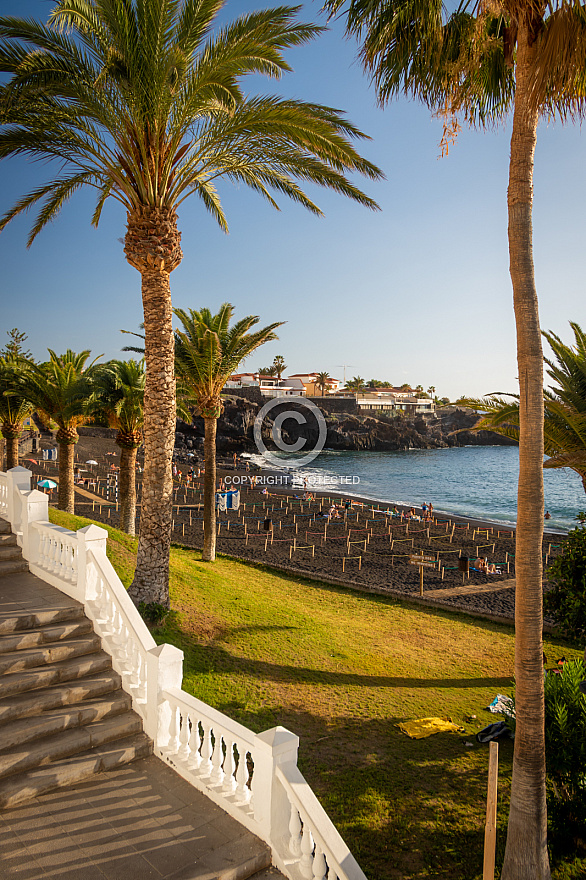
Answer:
(23, 786)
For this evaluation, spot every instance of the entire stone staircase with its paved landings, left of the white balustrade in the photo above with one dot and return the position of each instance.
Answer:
(65, 722)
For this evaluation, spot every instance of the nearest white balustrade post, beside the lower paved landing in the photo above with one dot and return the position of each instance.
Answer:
(271, 806)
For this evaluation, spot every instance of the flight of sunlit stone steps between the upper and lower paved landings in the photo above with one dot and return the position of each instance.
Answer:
(63, 713)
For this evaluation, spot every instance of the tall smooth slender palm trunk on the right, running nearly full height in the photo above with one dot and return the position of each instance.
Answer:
(526, 855)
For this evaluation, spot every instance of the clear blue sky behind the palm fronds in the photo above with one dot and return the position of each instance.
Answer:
(418, 292)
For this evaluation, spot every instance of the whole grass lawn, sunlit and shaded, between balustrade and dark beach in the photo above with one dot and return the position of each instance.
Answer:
(341, 669)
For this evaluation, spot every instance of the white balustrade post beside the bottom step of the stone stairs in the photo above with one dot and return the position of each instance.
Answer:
(164, 671)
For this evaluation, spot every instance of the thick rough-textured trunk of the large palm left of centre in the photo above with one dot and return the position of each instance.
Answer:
(153, 247)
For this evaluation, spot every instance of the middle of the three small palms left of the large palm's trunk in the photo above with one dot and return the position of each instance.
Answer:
(61, 391)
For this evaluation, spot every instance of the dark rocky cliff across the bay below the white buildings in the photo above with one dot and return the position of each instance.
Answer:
(450, 427)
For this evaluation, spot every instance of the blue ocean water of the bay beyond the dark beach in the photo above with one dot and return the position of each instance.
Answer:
(474, 481)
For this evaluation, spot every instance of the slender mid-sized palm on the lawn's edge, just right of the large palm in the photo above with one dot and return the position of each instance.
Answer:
(207, 352)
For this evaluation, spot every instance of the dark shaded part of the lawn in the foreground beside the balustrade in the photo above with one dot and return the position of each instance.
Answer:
(406, 808)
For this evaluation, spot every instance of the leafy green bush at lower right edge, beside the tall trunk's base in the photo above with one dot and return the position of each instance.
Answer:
(565, 748)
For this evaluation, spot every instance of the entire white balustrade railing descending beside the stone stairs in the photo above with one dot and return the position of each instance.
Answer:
(253, 777)
